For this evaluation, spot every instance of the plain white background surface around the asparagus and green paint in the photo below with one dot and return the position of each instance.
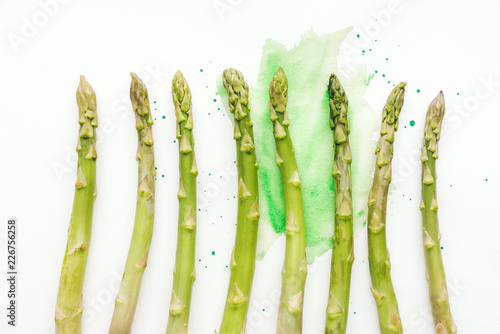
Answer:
(448, 45)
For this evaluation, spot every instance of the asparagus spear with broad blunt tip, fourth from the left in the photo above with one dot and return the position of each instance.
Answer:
(243, 256)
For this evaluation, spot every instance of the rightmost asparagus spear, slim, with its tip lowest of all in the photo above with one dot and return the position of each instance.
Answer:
(438, 292)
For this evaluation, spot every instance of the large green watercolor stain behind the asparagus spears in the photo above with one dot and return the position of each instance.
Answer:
(308, 66)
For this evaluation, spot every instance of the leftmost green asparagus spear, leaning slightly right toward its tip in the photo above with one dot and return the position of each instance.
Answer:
(69, 298)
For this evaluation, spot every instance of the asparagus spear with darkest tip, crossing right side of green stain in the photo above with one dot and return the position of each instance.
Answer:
(343, 251)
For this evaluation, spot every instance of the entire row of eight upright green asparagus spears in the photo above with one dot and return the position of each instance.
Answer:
(69, 300)
